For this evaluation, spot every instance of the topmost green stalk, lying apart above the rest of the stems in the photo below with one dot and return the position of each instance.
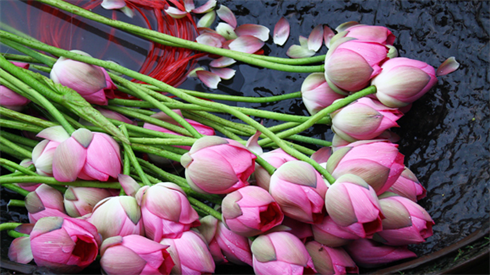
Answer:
(174, 41)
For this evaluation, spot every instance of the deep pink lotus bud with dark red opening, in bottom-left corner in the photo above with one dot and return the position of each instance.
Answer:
(64, 245)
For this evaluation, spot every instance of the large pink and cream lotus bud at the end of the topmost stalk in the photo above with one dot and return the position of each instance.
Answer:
(350, 66)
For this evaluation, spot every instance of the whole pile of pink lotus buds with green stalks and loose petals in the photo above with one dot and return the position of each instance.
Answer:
(94, 169)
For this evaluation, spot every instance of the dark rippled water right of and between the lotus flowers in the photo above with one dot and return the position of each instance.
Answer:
(444, 136)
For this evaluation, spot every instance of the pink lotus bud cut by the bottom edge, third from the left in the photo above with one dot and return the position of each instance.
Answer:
(190, 254)
